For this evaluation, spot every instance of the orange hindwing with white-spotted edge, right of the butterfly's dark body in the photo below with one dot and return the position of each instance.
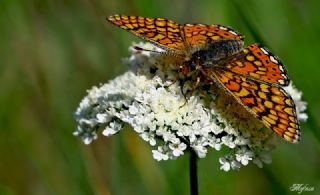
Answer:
(259, 63)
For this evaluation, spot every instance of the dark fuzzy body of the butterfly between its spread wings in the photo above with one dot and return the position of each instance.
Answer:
(214, 53)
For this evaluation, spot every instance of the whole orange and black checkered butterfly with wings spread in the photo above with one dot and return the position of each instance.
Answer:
(252, 75)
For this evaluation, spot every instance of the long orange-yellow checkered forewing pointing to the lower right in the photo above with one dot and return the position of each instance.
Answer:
(269, 103)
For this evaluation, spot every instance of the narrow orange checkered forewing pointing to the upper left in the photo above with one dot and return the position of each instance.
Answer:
(162, 32)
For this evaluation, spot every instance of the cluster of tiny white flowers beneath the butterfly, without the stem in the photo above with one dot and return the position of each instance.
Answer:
(172, 118)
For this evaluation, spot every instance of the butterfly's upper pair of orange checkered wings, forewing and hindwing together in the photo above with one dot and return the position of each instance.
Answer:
(171, 36)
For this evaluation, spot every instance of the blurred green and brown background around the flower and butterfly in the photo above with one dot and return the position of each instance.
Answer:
(51, 52)
